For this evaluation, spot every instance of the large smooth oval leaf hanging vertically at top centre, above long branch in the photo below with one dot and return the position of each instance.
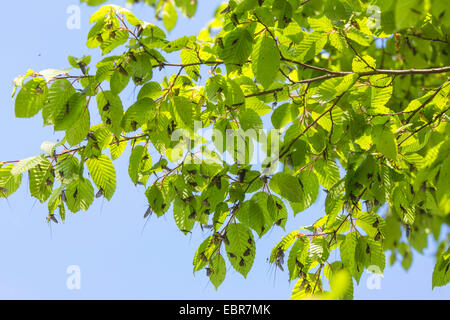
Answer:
(265, 60)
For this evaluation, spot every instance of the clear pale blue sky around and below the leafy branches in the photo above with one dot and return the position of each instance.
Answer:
(116, 259)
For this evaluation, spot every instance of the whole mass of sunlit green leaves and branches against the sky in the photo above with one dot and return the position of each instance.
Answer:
(346, 95)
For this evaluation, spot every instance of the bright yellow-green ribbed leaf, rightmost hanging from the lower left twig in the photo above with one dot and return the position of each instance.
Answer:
(103, 174)
